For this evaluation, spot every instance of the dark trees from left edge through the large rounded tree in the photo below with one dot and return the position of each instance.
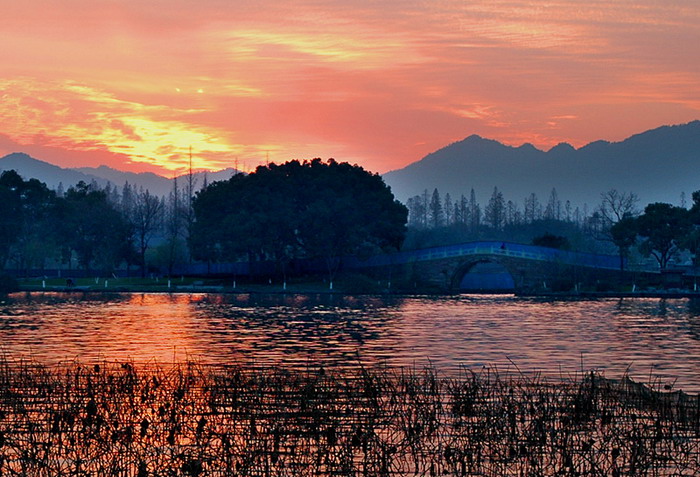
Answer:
(280, 213)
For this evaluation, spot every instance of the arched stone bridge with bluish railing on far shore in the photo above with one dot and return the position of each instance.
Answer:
(521, 267)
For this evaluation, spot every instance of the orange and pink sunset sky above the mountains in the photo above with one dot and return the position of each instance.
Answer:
(133, 84)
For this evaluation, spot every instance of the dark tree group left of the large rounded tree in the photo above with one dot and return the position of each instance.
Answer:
(89, 227)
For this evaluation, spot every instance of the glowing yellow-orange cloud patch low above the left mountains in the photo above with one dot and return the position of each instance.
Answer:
(78, 117)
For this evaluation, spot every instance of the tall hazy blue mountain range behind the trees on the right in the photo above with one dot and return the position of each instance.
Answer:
(657, 165)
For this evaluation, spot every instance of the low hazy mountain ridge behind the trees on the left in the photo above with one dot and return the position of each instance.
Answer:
(29, 167)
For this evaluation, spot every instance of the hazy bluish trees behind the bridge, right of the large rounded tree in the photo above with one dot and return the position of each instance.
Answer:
(660, 231)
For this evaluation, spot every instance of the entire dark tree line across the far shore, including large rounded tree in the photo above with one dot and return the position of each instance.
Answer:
(308, 209)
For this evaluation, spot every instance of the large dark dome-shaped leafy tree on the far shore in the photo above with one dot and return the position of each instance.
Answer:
(310, 209)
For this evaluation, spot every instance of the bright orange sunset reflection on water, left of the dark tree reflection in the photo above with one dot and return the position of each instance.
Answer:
(139, 327)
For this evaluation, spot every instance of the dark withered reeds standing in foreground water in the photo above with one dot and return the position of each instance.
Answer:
(190, 419)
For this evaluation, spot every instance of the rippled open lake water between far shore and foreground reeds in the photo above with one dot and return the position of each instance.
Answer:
(646, 337)
